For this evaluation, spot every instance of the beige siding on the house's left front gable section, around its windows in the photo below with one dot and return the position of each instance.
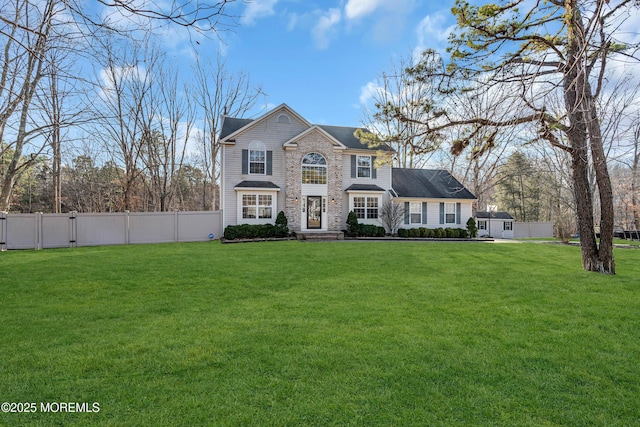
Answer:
(273, 135)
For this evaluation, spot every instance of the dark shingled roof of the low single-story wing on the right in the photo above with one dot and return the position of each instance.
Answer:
(428, 183)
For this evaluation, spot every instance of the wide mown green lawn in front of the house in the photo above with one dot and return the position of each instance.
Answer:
(319, 334)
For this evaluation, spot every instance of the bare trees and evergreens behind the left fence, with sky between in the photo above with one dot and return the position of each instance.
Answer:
(95, 116)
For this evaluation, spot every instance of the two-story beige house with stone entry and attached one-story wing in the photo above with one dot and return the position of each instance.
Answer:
(317, 174)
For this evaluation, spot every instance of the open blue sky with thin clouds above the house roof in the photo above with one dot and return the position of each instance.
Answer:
(319, 57)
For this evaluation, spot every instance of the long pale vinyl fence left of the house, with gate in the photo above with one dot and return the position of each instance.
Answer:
(39, 231)
